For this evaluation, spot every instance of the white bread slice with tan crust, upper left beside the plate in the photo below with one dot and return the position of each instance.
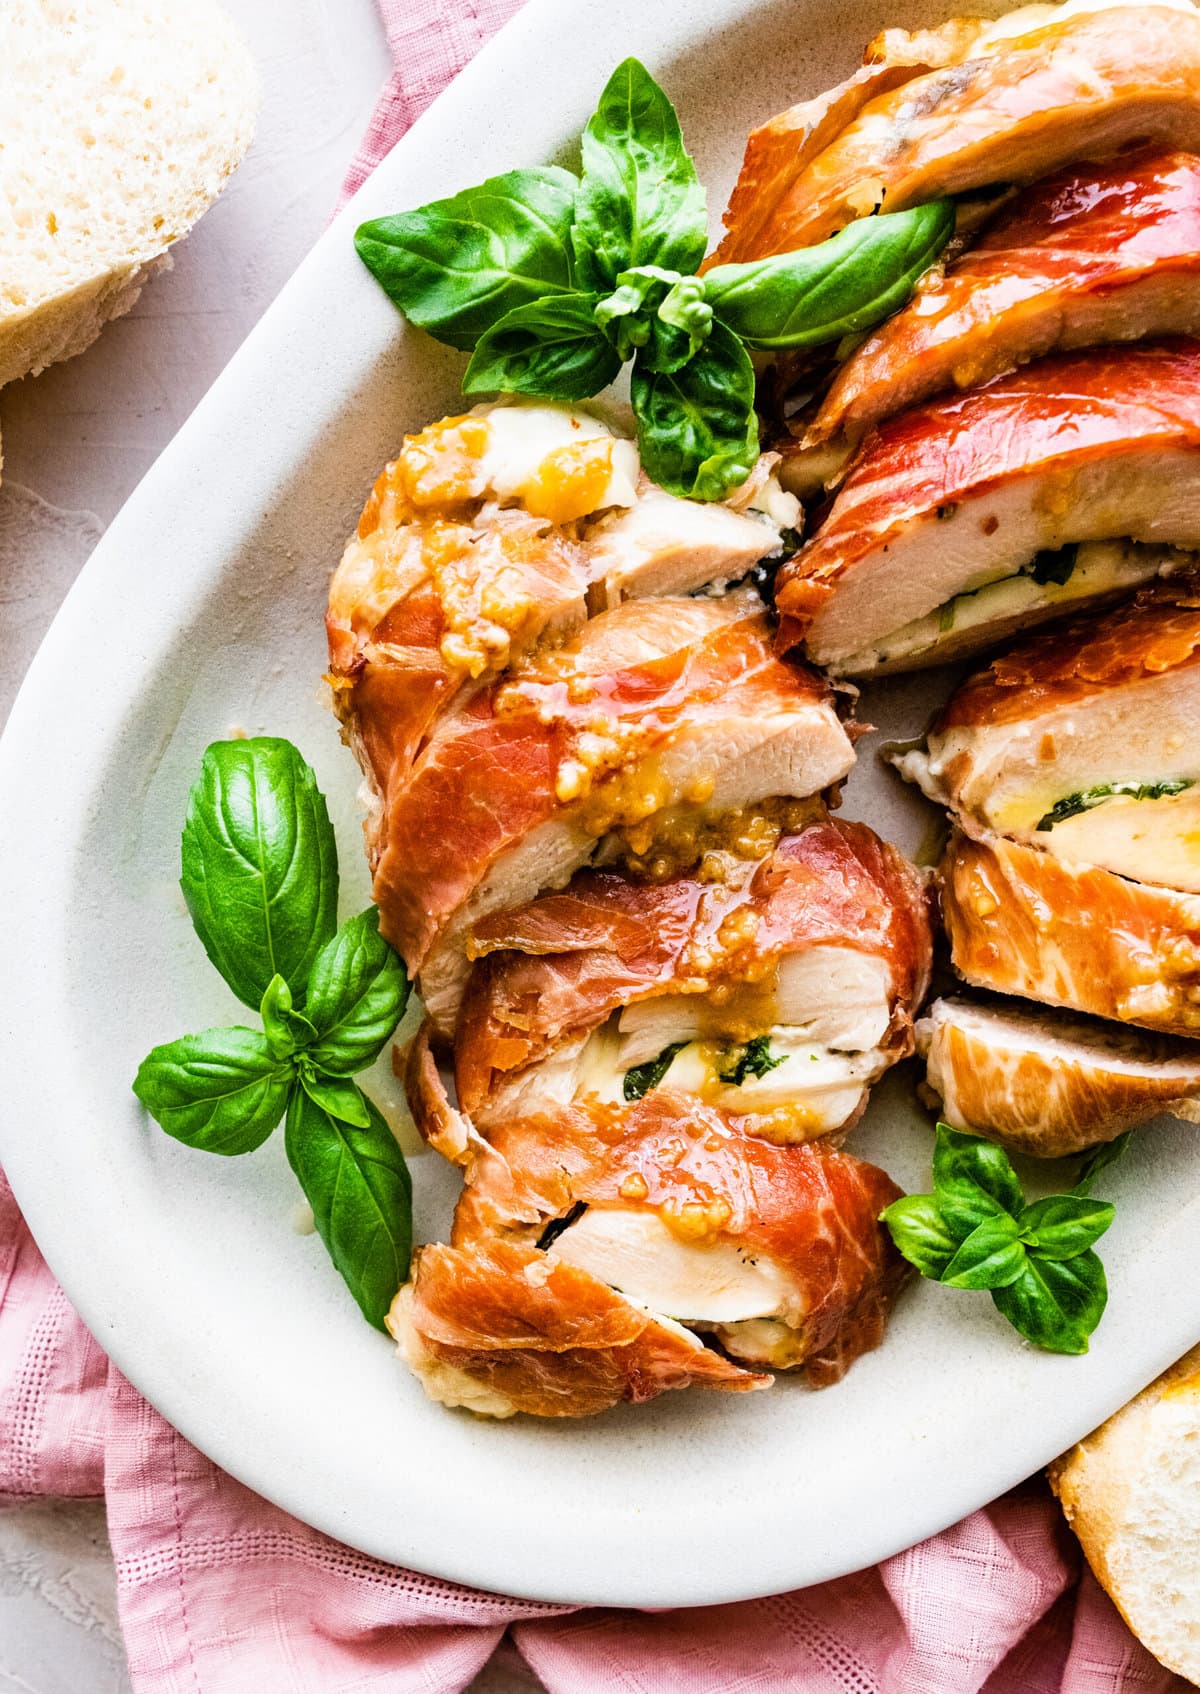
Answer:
(123, 121)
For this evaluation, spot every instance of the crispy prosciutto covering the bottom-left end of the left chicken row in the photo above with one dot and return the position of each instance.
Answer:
(506, 1329)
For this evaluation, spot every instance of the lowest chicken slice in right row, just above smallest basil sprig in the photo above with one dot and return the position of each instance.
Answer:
(1050, 1083)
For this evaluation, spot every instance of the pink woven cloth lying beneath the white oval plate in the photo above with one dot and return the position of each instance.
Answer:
(223, 1593)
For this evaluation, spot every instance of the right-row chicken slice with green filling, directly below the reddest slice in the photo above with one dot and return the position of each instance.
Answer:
(1084, 741)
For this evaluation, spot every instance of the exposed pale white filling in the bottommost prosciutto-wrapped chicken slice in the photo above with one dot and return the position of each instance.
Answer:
(694, 1283)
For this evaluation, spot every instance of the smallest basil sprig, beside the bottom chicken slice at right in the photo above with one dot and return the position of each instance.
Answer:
(977, 1232)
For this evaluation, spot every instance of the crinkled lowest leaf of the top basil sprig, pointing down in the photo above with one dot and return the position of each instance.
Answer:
(697, 429)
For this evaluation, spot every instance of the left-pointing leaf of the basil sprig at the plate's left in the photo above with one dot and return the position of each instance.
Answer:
(221, 1092)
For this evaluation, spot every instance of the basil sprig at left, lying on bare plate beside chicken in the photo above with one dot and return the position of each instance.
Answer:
(260, 877)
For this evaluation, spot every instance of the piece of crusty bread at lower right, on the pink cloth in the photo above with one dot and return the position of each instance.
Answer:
(1131, 1492)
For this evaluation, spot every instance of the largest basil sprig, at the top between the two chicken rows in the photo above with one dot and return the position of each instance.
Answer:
(553, 282)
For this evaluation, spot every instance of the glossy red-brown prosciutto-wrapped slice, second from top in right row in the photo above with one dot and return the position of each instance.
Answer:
(1096, 255)
